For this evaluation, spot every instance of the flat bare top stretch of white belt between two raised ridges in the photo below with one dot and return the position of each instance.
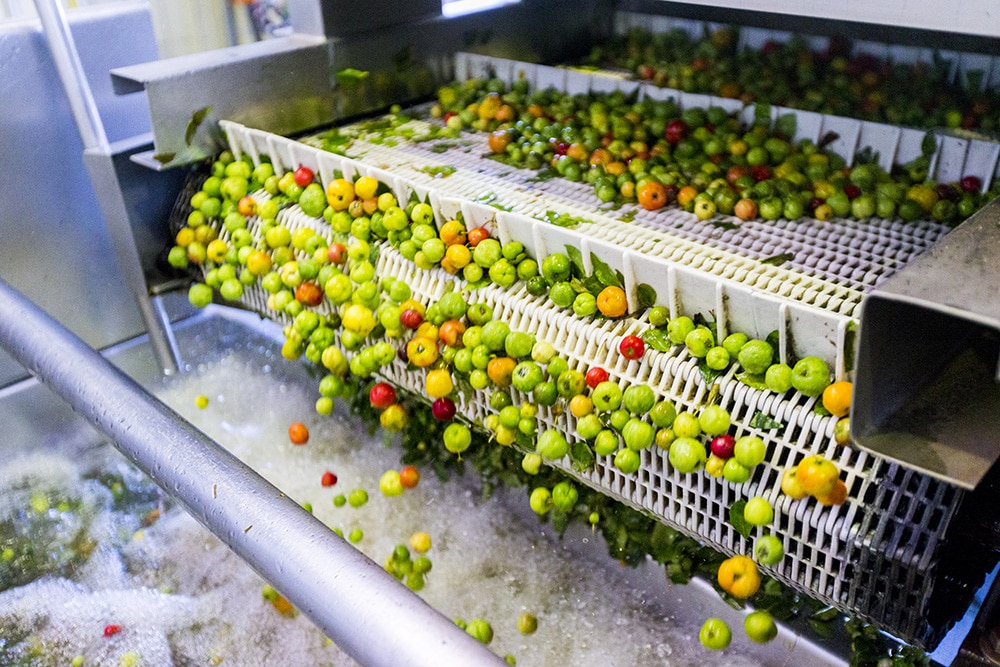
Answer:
(836, 262)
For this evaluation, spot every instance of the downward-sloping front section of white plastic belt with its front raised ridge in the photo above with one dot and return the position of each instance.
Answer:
(872, 556)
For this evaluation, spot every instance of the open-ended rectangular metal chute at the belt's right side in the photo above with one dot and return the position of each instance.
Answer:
(926, 389)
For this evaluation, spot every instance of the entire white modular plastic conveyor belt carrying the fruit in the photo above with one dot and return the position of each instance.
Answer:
(876, 555)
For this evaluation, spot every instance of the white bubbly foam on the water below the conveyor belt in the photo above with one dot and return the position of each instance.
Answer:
(181, 597)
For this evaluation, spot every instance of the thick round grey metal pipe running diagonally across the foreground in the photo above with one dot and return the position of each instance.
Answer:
(360, 606)
